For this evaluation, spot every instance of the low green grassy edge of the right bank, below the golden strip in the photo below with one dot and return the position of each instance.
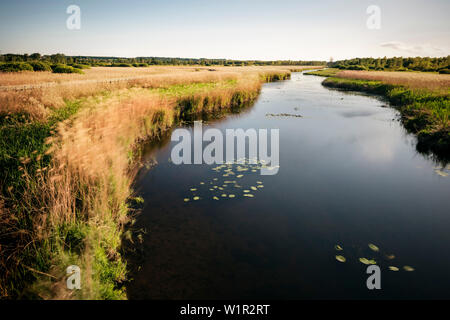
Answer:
(424, 111)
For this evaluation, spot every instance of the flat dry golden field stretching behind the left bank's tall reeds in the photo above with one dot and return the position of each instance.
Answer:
(42, 97)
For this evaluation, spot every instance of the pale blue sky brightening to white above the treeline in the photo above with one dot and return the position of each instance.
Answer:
(245, 29)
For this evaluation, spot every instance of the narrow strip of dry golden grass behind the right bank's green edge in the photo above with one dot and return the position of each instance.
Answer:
(415, 80)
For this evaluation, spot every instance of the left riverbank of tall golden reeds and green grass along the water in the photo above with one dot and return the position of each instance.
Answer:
(69, 157)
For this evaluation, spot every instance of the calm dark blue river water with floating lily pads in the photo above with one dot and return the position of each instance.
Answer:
(349, 175)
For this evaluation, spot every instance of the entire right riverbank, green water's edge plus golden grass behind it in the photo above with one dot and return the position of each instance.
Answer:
(422, 99)
